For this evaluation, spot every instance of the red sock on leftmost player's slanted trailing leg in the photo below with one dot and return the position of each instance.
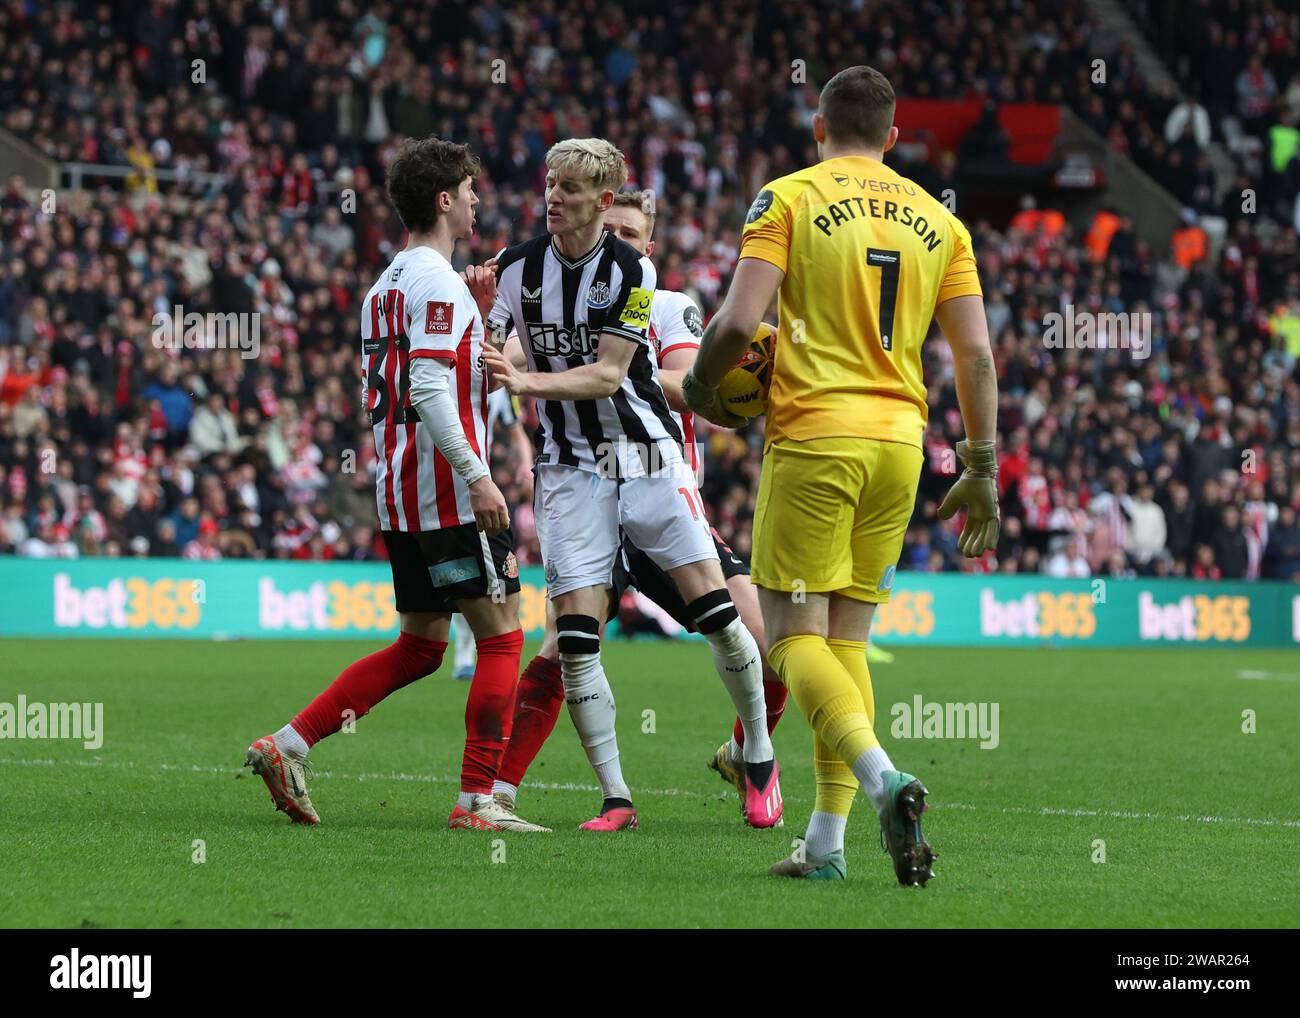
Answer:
(366, 683)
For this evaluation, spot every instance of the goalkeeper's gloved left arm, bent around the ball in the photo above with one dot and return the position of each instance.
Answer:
(729, 333)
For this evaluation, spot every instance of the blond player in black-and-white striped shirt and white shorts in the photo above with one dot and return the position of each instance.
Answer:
(612, 457)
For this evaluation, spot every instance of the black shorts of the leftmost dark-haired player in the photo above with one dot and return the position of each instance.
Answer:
(434, 570)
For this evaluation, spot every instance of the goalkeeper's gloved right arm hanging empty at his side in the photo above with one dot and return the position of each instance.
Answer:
(967, 330)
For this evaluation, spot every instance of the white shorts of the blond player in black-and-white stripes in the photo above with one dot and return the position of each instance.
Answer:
(580, 514)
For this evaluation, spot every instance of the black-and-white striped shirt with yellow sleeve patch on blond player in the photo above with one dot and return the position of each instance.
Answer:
(560, 309)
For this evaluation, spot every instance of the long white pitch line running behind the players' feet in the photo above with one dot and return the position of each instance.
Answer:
(683, 792)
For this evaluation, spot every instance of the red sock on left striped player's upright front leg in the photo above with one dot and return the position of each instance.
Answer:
(491, 711)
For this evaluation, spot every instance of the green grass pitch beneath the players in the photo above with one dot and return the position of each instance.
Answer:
(1141, 750)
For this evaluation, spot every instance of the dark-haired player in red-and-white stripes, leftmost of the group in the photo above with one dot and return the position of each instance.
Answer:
(444, 522)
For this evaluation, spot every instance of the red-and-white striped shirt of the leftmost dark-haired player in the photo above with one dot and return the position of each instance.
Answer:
(421, 307)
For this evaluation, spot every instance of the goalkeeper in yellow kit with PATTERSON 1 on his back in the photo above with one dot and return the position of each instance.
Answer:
(861, 259)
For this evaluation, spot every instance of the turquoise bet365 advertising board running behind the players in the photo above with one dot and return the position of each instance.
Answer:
(311, 600)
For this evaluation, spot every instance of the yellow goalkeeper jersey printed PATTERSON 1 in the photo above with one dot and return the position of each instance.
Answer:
(868, 258)
